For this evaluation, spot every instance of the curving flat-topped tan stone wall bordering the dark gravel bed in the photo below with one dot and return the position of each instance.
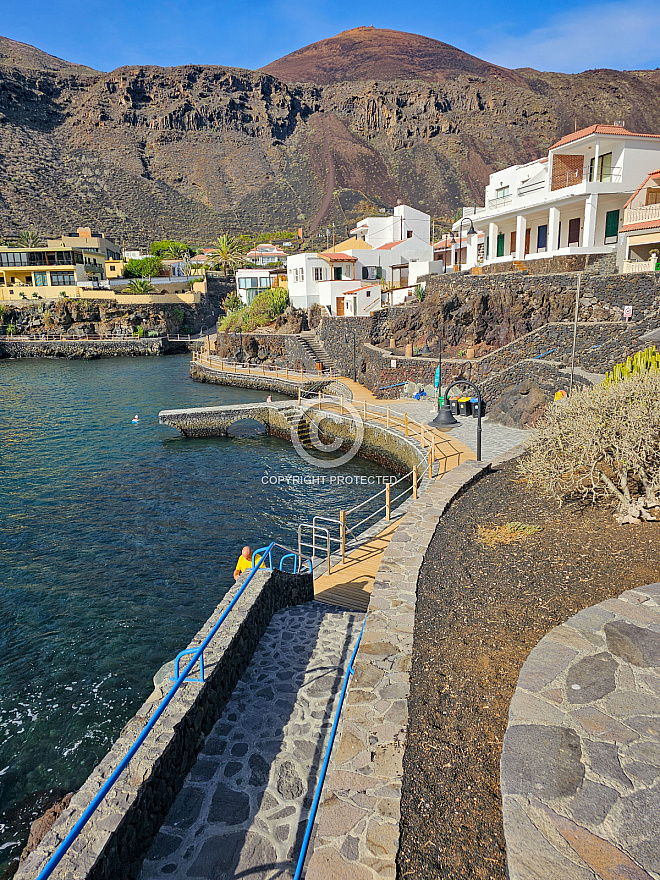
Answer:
(357, 826)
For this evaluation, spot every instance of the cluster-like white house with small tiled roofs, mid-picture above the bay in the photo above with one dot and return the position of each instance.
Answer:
(348, 278)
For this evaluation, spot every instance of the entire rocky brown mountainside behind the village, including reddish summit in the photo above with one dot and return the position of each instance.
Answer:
(150, 152)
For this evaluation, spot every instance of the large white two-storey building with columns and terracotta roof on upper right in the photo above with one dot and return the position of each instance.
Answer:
(570, 202)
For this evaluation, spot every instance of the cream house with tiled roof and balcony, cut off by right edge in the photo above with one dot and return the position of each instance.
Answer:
(640, 251)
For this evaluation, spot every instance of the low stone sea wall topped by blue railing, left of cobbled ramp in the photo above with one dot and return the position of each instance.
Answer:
(114, 841)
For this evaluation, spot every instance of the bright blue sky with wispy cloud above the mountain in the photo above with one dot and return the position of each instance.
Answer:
(566, 35)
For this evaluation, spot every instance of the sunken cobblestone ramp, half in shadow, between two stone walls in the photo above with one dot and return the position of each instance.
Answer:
(243, 807)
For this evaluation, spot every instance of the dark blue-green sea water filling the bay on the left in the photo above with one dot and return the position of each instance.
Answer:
(117, 541)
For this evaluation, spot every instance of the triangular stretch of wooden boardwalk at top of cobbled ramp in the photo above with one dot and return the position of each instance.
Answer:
(349, 584)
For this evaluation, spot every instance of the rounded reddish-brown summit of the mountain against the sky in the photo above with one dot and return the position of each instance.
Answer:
(369, 53)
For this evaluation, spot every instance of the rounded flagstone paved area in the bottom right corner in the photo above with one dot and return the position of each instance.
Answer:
(580, 768)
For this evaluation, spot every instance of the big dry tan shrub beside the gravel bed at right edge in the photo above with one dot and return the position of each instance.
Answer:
(602, 445)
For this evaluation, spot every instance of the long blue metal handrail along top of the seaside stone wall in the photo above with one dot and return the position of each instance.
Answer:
(266, 553)
